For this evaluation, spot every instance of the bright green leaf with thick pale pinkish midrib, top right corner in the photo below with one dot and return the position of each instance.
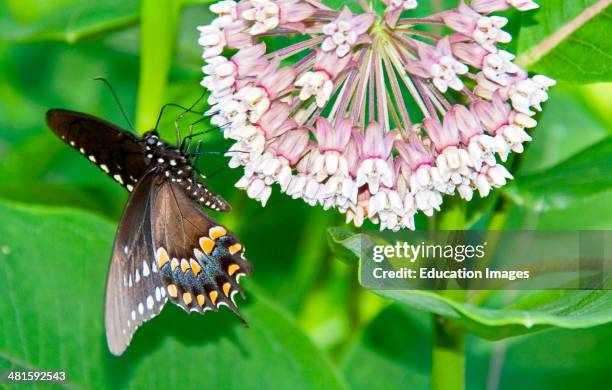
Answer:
(567, 41)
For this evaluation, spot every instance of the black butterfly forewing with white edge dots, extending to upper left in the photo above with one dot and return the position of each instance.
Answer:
(115, 151)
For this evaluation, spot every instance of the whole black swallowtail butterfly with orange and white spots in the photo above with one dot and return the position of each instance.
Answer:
(166, 247)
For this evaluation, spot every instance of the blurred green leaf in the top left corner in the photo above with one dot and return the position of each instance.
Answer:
(70, 23)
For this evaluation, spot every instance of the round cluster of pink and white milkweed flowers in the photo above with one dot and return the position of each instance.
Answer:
(378, 117)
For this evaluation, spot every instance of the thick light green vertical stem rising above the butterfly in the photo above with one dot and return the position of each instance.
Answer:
(158, 31)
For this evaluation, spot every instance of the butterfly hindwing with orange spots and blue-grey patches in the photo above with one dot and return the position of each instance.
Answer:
(200, 261)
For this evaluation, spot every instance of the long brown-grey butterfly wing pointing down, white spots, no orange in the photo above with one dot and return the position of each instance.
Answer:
(135, 291)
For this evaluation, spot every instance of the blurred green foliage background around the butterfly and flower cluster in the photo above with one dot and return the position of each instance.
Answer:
(311, 325)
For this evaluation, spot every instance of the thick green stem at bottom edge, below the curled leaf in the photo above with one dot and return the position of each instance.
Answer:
(448, 357)
